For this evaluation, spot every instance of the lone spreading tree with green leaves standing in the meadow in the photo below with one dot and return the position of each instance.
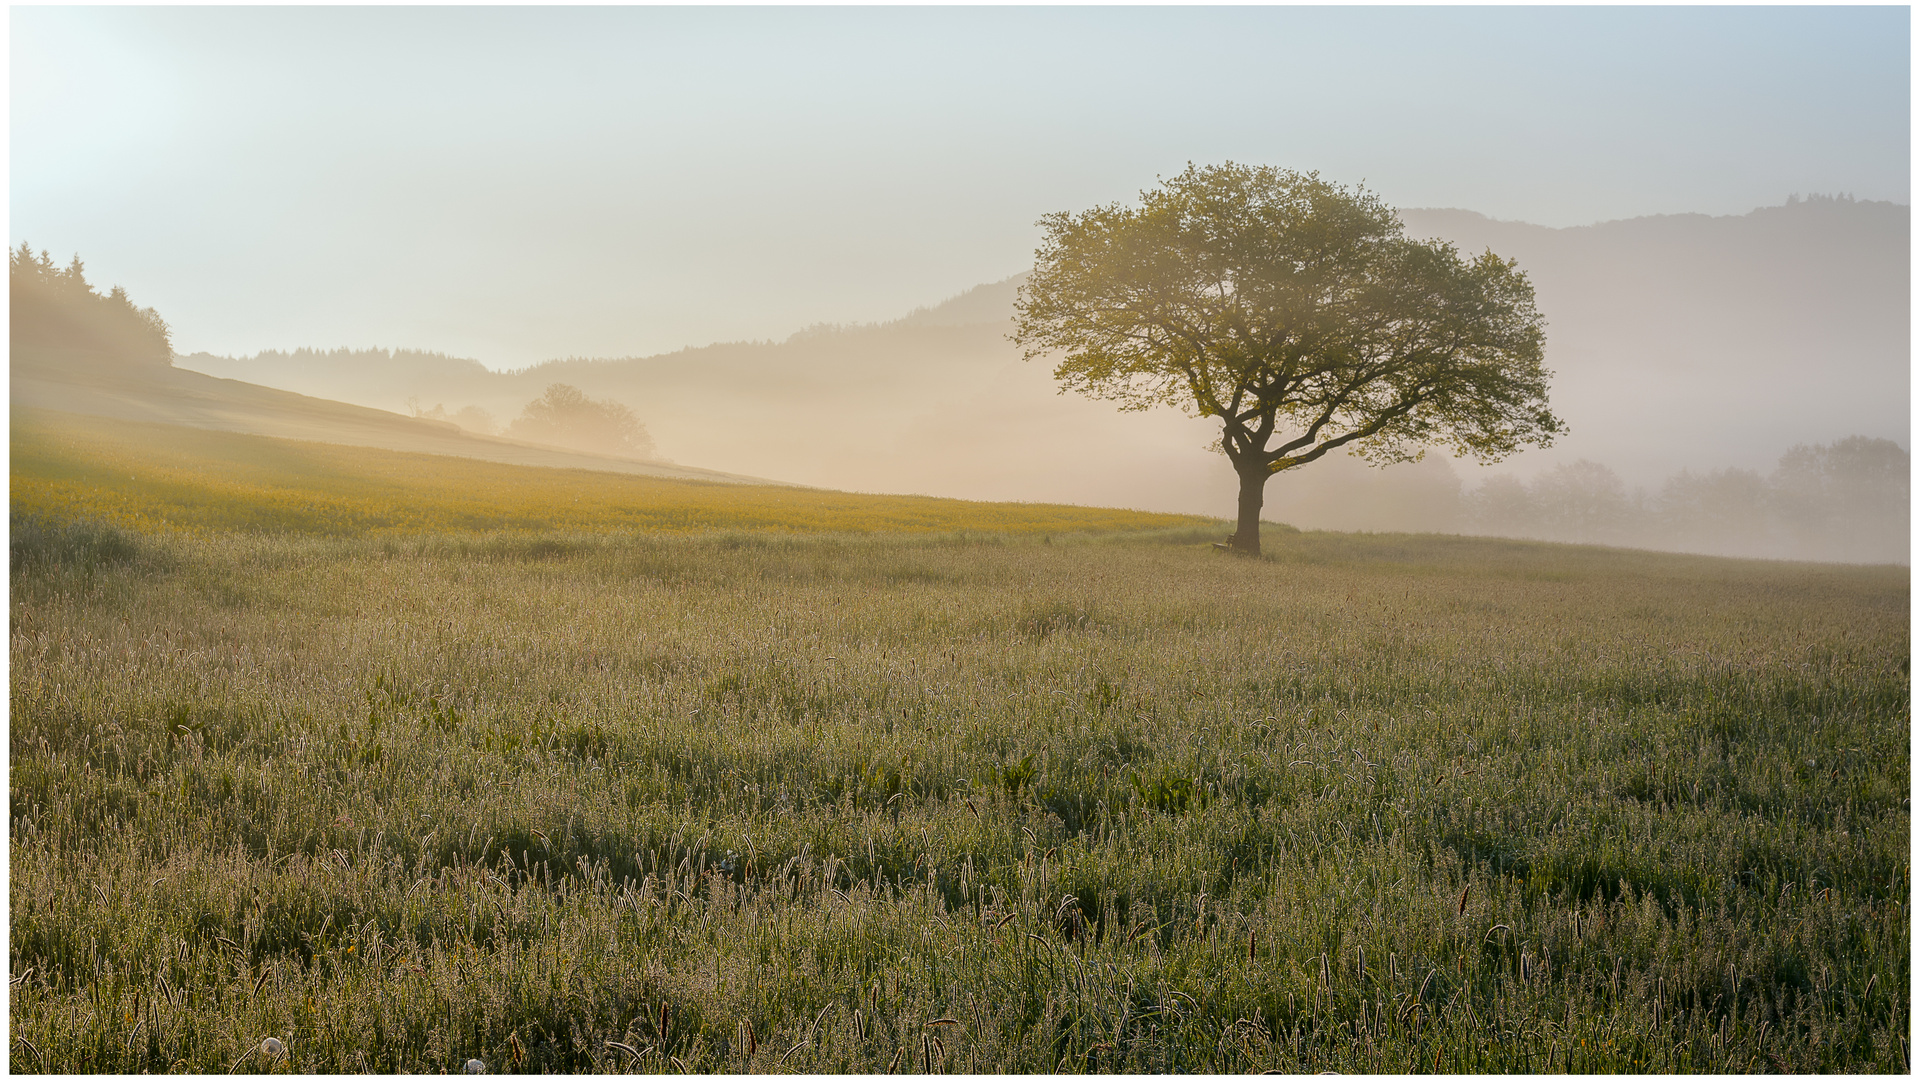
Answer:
(1299, 314)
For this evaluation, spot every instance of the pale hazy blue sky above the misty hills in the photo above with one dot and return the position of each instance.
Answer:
(525, 184)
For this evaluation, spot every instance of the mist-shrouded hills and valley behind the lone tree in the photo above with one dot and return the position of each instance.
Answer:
(1735, 385)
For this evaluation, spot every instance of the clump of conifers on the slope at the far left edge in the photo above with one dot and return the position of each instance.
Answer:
(59, 320)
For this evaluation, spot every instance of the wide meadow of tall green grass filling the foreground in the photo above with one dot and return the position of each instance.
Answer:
(602, 797)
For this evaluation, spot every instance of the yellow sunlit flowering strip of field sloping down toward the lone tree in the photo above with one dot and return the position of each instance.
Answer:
(189, 479)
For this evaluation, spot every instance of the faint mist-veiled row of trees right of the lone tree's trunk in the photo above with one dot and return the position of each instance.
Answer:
(1846, 501)
